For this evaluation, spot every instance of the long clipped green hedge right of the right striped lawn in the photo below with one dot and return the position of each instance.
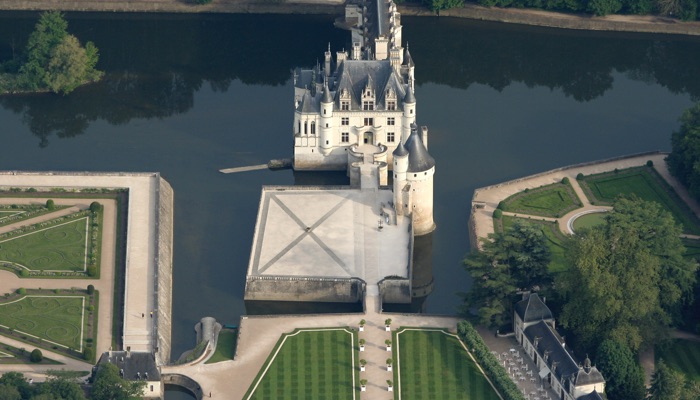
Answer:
(491, 366)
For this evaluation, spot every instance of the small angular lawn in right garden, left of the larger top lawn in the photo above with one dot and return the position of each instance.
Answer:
(546, 201)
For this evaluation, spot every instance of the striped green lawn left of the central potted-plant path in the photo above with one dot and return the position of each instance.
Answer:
(310, 364)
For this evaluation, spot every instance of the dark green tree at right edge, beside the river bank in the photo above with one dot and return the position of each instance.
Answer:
(684, 160)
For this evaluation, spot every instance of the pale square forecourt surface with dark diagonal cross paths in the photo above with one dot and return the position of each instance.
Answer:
(328, 233)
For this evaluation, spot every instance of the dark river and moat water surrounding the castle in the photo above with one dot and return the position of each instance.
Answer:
(187, 95)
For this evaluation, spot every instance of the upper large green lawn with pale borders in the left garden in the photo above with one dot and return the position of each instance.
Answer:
(61, 247)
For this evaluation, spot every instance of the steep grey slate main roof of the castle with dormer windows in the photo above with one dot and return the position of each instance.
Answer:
(354, 74)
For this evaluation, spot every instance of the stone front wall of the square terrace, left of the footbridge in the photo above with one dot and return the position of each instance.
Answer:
(282, 288)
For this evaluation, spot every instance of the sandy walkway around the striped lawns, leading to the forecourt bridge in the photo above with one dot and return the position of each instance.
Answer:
(259, 334)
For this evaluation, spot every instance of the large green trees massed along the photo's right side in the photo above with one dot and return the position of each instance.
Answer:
(628, 281)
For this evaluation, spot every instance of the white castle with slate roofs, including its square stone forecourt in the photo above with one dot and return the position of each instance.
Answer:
(357, 114)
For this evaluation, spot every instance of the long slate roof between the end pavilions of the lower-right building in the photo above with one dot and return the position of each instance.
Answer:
(556, 353)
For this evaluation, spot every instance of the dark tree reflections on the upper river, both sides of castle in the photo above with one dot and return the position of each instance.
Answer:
(155, 63)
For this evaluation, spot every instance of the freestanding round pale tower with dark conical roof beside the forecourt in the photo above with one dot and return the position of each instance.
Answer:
(419, 178)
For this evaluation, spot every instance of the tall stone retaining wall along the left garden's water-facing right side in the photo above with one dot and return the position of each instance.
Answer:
(164, 271)
